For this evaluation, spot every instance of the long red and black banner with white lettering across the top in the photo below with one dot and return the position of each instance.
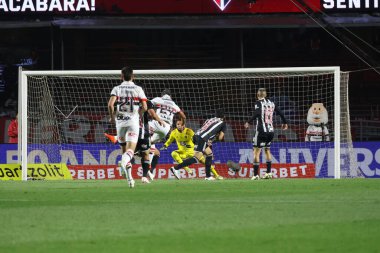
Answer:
(177, 7)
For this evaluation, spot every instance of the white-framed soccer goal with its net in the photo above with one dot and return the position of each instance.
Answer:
(63, 115)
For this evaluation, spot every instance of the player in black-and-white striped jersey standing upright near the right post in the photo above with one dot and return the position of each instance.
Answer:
(263, 119)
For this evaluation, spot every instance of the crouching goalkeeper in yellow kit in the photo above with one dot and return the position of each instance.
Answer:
(184, 138)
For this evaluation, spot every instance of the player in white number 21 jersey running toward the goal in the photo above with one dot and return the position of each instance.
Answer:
(128, 98)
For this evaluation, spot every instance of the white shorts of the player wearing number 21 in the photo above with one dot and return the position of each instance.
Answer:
(127, 131)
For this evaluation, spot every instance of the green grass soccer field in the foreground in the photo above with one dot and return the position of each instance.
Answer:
(191, 216)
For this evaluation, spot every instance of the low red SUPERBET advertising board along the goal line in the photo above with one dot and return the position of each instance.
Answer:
(101, 172)
